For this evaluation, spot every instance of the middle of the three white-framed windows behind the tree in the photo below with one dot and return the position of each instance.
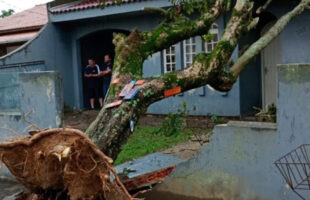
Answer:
(189, 53)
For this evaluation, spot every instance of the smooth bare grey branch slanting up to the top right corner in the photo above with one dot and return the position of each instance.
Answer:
(273, 32)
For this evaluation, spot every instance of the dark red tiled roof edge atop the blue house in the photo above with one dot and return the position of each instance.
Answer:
(83, 5)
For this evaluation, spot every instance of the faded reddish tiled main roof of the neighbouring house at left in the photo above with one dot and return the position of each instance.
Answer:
(31, 19)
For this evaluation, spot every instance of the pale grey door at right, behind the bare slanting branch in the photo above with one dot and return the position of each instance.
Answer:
(271, 57)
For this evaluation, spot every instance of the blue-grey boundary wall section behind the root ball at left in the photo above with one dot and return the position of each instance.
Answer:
(23, 92)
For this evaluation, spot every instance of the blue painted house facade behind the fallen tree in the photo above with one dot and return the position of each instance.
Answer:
(58, 46)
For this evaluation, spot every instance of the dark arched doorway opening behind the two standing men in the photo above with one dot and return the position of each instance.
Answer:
(96, 45)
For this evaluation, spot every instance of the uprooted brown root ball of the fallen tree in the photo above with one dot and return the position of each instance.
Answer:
(64, 160)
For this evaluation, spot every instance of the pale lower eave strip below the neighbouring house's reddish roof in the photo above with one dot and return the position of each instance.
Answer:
(17, 37)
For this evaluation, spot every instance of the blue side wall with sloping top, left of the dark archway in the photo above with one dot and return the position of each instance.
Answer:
(49, 50)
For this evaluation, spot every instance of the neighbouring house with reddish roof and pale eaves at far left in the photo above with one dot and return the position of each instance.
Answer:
(17, 29)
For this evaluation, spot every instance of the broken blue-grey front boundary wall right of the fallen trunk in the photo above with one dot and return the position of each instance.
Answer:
(239, 161)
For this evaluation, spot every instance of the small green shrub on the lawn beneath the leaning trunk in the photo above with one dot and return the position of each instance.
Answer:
(173, 123)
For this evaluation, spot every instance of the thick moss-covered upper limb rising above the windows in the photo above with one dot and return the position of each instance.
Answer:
(138, 46)
